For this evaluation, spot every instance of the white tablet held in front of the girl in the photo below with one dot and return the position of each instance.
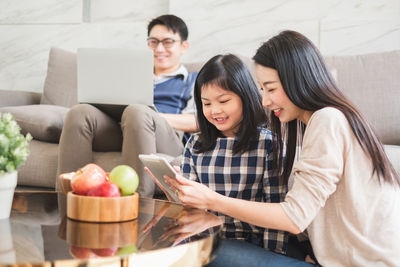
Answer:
(159, 167)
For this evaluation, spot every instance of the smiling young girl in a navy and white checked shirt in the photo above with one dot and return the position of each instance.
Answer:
(232, 153)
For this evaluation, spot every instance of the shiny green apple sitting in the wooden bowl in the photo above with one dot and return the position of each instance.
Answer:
(126, 178)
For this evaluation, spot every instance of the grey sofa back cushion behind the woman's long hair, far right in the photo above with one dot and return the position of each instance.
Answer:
(371, 82)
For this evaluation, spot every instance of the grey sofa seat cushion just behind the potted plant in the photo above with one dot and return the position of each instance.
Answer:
(43, 122)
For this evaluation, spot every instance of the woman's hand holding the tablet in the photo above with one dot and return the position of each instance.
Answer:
(191, 193)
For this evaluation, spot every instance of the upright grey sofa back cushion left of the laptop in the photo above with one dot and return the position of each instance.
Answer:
(60, 87)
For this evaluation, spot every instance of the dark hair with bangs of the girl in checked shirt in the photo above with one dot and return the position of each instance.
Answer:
(230, 73)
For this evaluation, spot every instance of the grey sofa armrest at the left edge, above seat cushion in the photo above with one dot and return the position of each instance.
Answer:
(18, 98)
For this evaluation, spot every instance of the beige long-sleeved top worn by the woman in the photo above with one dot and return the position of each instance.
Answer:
(351, 219)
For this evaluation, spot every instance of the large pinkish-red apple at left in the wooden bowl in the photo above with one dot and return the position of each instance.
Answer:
(88, 177)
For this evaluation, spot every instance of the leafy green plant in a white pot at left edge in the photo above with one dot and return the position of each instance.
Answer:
(13, 152)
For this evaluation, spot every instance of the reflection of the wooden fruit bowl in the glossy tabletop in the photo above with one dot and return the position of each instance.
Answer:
(101, 235)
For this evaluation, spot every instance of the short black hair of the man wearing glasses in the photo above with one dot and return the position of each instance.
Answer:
(173, 23)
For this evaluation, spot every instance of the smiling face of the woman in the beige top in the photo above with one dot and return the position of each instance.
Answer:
(275, 98)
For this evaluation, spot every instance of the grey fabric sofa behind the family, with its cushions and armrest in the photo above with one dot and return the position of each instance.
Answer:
(371, 81)
